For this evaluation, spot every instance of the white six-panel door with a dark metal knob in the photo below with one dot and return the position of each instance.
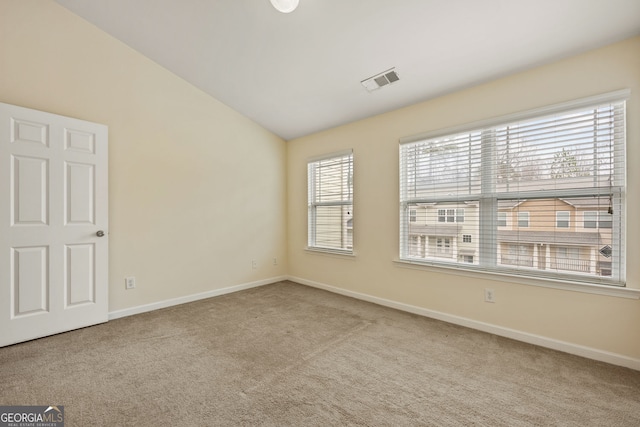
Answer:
(53, 207)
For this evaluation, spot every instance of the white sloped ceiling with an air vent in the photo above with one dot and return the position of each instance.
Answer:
(299, 73)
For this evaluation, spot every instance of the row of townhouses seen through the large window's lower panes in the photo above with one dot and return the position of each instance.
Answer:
(548, 234)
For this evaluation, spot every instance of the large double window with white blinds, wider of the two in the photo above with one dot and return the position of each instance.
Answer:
(515, 183)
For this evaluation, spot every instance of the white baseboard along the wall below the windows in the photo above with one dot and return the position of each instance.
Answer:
(575, 349)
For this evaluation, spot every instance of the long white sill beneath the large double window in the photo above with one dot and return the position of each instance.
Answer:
(612, 291)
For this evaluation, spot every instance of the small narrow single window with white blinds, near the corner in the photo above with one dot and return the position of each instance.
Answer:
(330, 193)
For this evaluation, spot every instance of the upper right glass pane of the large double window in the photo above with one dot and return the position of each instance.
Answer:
(571, 150)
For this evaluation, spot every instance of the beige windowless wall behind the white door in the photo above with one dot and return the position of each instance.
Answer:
(196, 190)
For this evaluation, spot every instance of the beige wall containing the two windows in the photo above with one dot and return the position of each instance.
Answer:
(610, 324)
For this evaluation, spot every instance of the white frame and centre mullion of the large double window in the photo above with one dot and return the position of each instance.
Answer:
(491, 213)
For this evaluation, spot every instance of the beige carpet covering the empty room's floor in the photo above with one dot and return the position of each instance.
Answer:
(289, 355)
